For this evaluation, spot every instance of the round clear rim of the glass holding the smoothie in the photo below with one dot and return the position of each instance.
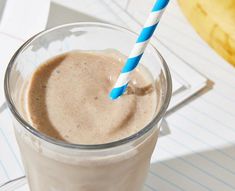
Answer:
(54, 141)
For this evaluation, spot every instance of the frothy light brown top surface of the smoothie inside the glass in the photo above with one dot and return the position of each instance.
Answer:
(68, 99)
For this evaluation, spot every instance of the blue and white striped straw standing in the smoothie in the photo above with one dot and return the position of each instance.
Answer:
(139, 47)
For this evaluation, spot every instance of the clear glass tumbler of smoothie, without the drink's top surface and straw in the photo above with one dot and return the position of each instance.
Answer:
(53, 165)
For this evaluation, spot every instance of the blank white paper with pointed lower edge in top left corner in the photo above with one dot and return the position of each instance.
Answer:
(24, 18)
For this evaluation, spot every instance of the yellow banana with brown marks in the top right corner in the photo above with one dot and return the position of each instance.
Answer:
(214, 20)
